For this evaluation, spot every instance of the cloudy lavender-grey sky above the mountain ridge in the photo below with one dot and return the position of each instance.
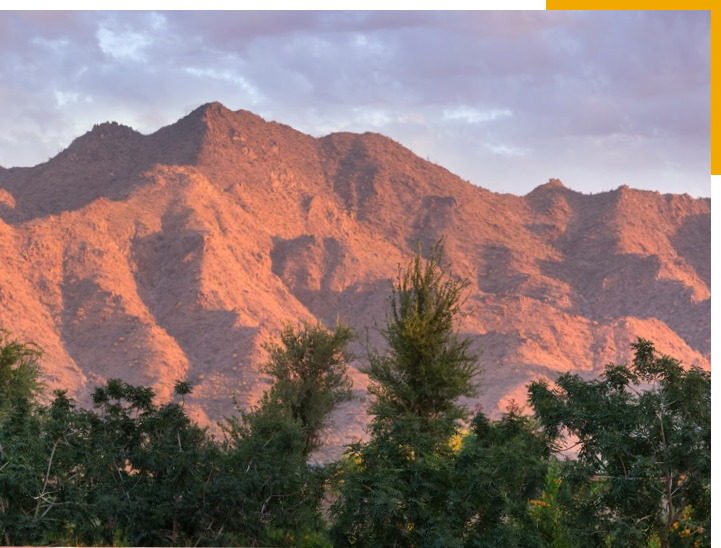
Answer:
(506, 100)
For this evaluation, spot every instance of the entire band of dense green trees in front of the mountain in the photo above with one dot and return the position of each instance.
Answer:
(131, 472)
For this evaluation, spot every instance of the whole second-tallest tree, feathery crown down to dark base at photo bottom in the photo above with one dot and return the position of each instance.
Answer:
(274, 493)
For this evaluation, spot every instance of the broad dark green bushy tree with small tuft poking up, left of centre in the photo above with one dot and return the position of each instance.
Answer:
(141, 471)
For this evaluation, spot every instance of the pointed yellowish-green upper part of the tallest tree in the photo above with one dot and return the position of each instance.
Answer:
(426, 367)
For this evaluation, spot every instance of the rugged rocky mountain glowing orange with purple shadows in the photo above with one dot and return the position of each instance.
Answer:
(176, 255)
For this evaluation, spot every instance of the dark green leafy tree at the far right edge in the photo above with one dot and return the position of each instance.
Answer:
(643, 462)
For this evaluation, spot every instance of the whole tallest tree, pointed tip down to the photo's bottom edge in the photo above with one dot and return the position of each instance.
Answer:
(396, 491)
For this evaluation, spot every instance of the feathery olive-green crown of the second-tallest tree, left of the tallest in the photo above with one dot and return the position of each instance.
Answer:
(309, 371)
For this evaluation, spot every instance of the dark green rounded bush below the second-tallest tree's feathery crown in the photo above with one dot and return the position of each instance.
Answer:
(271, 493)
